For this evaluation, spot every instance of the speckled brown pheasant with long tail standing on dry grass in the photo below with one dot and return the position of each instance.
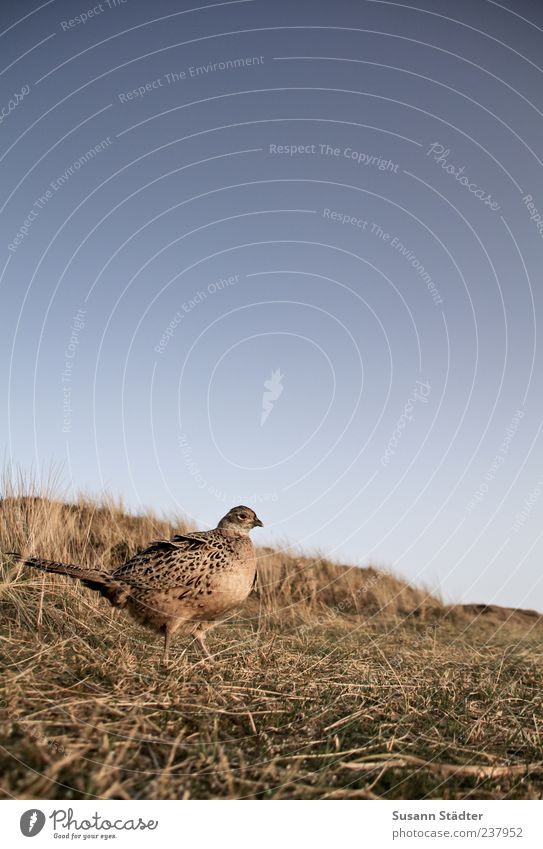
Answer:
(189, 580)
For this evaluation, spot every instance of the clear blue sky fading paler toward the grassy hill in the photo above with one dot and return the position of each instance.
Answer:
(345, 217)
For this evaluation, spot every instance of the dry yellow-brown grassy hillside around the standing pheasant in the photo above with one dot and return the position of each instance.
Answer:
(333, 682)
